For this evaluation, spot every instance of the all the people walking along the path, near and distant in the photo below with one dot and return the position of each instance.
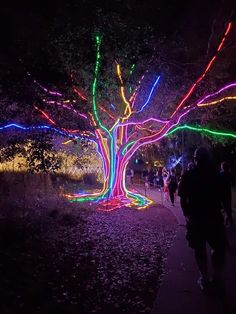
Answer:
(205, 198)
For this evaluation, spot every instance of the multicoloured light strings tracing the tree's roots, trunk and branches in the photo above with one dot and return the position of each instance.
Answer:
(115, 144)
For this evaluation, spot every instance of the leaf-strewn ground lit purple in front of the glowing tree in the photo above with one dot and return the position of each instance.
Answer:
(73, 259)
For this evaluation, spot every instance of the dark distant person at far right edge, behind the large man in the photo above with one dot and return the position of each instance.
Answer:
(226, 194)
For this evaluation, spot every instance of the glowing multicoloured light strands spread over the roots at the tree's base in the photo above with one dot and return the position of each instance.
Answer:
(108, 203)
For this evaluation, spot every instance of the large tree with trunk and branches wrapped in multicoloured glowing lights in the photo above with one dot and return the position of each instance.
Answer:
(120, 127)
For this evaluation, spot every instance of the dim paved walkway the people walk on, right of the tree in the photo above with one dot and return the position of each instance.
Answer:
(179, 293)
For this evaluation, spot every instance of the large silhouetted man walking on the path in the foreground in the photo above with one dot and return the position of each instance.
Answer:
(199, 192)
